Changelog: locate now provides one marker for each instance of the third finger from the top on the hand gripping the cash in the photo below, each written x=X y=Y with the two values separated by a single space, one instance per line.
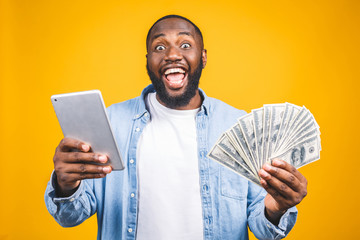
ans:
x=277 y=185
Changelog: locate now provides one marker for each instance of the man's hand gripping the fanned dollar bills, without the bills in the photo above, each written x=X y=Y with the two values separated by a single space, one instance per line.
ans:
x=285 y=185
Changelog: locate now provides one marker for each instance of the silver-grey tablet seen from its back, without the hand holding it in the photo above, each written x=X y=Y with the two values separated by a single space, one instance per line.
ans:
x=82 y=115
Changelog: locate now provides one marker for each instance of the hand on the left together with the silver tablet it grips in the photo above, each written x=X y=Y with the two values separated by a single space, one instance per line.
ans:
x=89 y=149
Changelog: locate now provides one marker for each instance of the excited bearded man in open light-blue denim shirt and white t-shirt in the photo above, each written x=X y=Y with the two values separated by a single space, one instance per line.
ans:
x=169 y=188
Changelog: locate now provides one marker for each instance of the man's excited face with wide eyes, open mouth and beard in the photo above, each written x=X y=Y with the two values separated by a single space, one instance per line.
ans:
x=174 y=61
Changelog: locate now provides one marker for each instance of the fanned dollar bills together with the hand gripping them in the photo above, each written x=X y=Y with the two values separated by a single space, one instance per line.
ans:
x=254 y=146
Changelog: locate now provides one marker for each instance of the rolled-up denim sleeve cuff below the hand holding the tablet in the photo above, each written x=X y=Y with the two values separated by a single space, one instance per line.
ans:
x=73 y=210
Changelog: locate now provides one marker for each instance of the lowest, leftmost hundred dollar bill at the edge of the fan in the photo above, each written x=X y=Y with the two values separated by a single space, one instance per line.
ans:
x=218 y=155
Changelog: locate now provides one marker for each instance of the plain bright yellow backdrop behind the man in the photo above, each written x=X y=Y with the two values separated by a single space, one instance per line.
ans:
x=303 y=52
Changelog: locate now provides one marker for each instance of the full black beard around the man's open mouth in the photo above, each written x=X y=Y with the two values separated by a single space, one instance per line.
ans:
x=183 y=99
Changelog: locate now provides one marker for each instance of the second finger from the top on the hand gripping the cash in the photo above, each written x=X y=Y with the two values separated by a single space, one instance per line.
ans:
x=284 y=176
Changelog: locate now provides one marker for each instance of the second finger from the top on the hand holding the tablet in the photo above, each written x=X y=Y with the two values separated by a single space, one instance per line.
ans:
x=74 y=157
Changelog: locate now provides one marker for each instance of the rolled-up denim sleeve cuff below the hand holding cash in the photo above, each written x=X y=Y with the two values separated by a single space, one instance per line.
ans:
x=259 y=225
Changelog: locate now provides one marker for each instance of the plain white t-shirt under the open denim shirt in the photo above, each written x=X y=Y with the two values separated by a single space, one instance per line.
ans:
x=168 y=171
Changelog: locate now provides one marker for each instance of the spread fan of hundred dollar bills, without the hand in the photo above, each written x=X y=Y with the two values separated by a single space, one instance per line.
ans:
x=284 y=131
